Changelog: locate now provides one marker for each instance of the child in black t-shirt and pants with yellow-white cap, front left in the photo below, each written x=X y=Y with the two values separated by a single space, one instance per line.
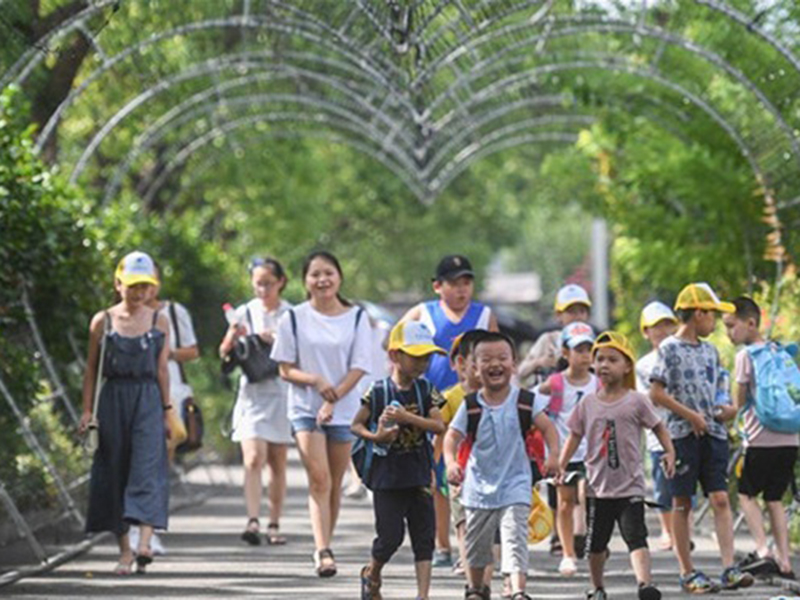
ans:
x=396 y=415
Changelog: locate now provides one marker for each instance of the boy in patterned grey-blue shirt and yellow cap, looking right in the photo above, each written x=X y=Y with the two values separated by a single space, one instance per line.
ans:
x=686 y=380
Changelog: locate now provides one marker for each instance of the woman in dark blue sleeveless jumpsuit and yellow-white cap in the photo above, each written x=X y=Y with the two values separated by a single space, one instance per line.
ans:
x=129 y=480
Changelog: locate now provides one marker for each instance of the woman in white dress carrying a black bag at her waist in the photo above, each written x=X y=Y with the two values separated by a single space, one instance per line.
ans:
x=260 y=422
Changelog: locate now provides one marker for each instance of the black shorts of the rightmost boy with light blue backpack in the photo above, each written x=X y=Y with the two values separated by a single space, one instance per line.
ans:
x=768 y=471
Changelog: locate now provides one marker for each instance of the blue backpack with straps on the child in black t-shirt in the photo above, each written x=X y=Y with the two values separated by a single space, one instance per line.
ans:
x=381 y=395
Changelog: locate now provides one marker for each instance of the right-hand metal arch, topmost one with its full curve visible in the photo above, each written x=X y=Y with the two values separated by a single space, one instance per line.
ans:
x=621 y=27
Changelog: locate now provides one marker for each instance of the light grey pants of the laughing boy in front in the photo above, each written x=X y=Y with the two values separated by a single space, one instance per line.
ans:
x=482 y=524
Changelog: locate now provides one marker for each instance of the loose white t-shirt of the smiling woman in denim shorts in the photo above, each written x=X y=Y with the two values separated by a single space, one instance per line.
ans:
x=327 y=346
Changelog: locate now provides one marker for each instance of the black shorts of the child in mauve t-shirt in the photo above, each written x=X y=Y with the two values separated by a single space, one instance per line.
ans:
x=602 y=513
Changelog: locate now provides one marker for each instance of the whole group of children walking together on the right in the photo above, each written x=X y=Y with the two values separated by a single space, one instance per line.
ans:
x=588 y=417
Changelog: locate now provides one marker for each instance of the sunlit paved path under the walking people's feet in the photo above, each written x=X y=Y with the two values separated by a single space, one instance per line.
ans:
x=206 y=559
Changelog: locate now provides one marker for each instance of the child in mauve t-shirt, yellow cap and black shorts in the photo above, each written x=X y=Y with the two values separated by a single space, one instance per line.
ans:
x=611 y=421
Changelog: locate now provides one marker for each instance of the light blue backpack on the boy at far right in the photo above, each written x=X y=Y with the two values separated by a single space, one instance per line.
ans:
x=777 y=396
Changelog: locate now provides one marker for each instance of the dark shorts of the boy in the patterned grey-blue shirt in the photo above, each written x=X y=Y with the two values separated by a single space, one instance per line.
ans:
x=701 y=459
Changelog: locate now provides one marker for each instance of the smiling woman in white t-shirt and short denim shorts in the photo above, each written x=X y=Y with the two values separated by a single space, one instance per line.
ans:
x=323 y=348
